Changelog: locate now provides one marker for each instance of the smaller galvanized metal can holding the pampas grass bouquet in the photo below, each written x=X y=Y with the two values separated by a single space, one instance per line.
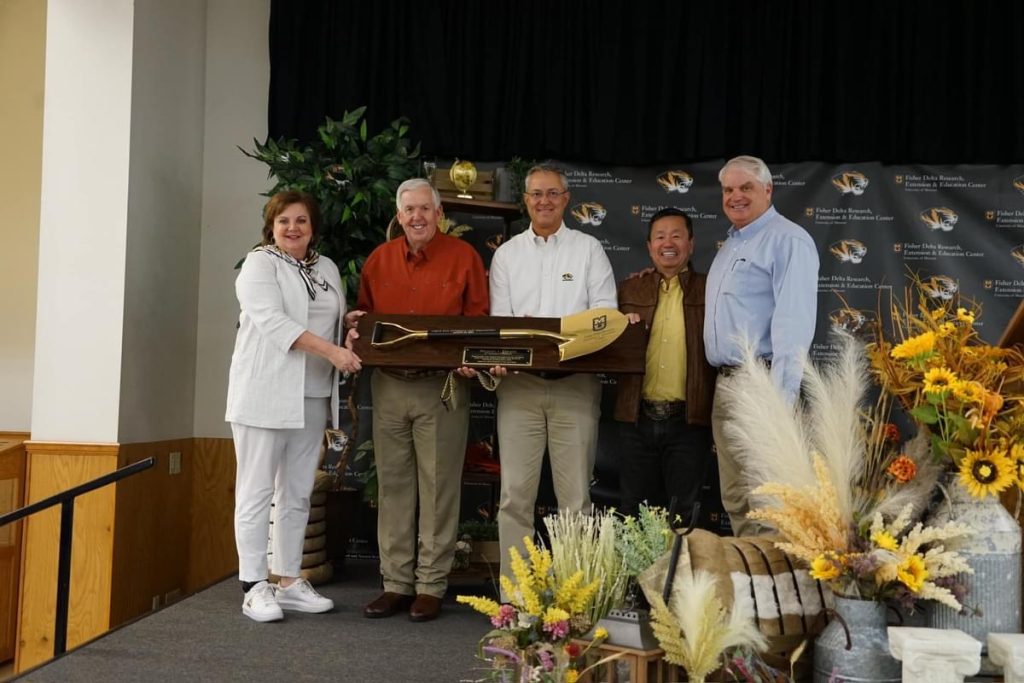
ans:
x=862 y=625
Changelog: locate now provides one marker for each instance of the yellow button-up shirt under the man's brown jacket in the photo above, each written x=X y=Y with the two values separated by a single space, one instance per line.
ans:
x=665 y=378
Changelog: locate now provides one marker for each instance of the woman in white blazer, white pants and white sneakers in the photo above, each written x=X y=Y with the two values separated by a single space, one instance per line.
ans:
x=282 y=391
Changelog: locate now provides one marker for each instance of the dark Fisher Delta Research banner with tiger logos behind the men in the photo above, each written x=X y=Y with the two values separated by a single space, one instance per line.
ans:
x=960 y=229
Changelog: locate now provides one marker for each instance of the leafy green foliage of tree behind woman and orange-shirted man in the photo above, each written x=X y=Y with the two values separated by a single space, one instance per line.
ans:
x=353 y=176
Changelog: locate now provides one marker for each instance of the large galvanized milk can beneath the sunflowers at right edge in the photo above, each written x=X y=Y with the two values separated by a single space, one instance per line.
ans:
x=993 y=603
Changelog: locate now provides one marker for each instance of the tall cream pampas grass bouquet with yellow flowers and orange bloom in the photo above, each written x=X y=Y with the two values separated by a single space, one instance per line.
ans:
x=834 y=481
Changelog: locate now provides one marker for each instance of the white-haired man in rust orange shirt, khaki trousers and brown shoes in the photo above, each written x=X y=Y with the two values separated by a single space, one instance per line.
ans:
x=418 y=444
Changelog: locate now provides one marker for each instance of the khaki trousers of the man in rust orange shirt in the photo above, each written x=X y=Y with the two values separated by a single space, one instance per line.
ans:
x=420 y=449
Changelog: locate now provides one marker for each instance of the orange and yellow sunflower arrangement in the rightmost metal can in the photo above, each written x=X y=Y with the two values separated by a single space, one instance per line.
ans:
x=958 y=388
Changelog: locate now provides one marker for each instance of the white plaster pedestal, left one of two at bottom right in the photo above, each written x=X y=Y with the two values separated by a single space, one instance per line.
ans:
x=934 y=656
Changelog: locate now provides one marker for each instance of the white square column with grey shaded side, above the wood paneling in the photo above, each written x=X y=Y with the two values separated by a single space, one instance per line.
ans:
x=122 y=183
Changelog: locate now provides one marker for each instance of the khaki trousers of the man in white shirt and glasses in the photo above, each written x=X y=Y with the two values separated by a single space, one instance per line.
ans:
x=533 y=415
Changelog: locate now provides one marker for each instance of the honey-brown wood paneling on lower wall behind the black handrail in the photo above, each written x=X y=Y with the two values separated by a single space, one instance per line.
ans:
x=146 y=541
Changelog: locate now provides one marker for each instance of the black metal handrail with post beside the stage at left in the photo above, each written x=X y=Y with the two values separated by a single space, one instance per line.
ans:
x=67 y=501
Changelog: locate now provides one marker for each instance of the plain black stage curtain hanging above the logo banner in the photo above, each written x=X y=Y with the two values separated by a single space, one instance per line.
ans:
x=642 y=83
